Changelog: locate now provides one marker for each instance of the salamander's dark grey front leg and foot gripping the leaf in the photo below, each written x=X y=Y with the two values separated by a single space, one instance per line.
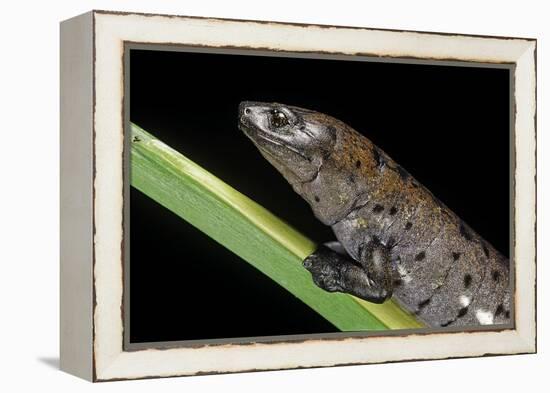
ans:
x=369 y=280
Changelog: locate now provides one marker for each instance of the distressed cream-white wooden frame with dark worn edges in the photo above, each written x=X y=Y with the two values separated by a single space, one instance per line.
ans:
x=92 y=174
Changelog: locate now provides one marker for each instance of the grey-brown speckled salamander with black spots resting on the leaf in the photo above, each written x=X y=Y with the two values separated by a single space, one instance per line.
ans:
x=394 y=237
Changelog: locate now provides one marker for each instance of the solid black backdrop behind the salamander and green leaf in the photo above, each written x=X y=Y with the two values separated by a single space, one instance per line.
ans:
x=447 y=125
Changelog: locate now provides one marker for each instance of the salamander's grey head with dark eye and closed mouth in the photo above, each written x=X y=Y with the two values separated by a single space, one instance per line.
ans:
x=292 y=139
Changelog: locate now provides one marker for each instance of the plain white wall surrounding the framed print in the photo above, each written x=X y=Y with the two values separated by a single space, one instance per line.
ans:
x=29 y=193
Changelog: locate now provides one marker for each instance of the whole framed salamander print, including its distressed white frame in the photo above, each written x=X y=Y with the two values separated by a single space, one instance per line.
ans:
x=244 y=195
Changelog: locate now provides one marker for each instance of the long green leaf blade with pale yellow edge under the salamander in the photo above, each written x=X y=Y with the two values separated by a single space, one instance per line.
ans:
x=250 y=231
